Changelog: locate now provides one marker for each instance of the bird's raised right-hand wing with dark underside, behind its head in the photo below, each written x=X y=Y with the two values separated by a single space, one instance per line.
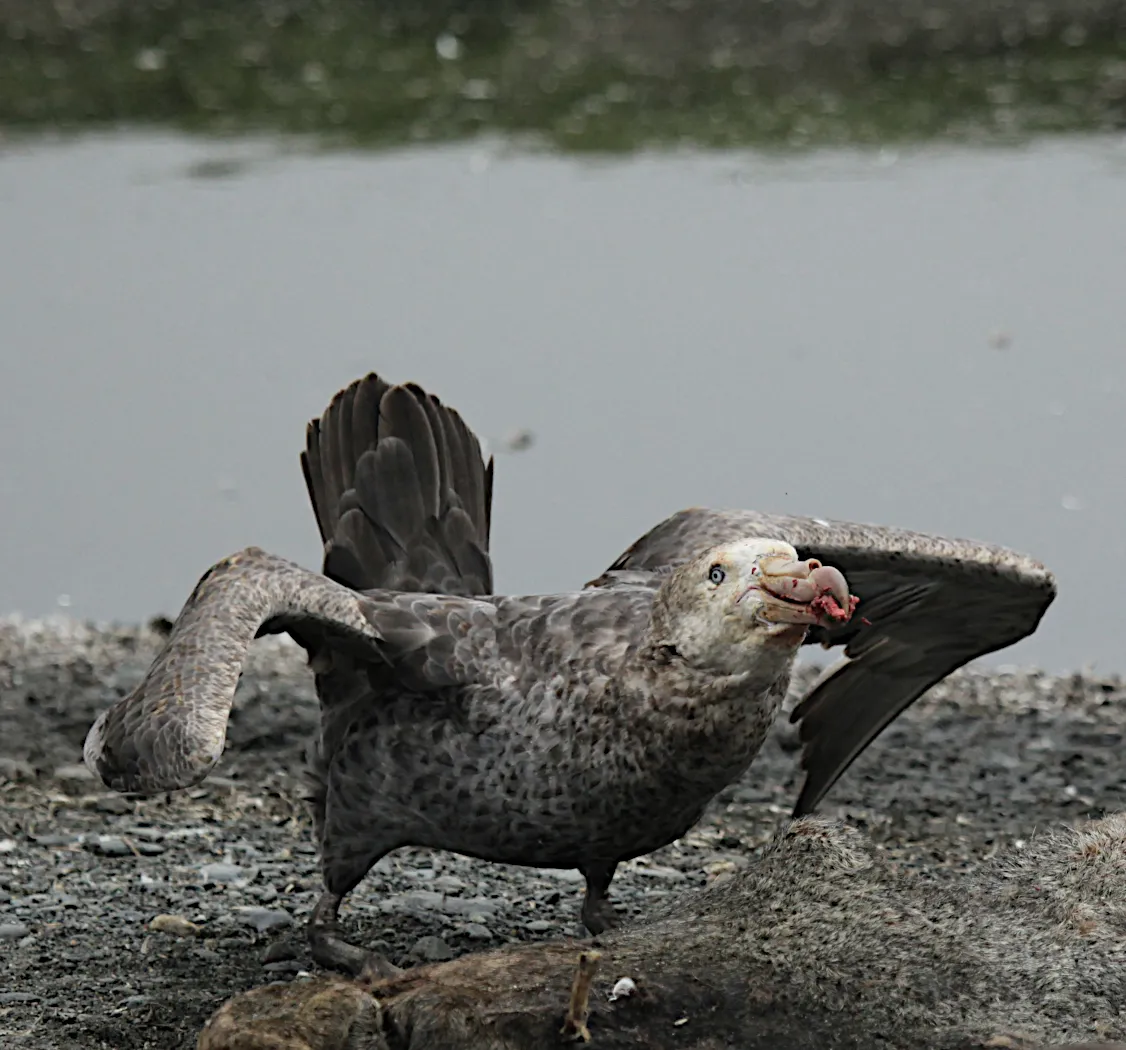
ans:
x=928 y=606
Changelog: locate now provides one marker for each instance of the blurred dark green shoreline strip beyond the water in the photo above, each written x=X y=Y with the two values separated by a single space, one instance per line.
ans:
x=582 y=76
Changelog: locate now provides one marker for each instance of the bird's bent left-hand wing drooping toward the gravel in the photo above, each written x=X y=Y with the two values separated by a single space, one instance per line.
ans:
x=172 y=730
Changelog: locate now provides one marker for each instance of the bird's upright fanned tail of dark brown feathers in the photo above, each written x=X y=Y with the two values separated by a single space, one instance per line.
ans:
x=401 y=492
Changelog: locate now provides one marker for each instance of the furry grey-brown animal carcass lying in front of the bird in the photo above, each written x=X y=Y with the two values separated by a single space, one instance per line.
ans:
x=818 y=945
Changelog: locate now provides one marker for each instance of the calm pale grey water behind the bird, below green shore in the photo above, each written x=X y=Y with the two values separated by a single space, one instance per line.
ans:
x=933 y=339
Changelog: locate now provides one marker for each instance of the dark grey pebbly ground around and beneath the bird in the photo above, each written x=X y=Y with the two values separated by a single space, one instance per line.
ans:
x=124 y=923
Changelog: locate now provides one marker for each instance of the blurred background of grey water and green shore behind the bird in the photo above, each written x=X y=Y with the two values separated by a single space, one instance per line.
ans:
x=857 y=259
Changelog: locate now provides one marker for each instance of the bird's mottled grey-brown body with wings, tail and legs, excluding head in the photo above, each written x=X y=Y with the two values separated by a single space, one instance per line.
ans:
x=556 y=731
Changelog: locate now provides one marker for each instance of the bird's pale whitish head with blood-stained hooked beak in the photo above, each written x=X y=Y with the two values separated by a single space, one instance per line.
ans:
x=721 y=611
